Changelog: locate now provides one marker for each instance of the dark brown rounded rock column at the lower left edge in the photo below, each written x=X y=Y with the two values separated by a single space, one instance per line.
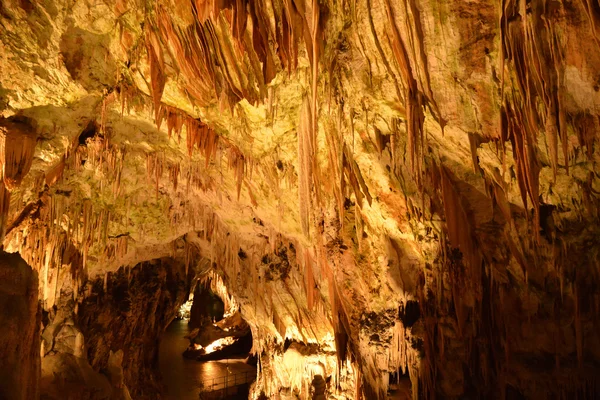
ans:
x=19 y=329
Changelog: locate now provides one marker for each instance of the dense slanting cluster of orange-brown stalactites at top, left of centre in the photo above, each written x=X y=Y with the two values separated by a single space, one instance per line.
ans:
x=211 y=53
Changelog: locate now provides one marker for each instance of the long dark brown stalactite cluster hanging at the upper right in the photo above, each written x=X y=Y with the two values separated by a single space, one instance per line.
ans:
x=532 y=48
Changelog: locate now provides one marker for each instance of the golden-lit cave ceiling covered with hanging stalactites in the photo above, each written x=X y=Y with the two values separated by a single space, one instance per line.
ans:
x=407 y=150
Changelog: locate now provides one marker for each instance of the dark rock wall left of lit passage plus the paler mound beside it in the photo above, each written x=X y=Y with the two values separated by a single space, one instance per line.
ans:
x=103 y=344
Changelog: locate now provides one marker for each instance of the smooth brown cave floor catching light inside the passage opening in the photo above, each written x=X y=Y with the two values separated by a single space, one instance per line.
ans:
x=182 y=377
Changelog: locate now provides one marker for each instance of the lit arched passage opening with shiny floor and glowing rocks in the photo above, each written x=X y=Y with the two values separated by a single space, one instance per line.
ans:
x=205 y=350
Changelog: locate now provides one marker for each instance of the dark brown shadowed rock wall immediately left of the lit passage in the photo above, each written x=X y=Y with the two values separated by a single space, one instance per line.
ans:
x=123 y=317
